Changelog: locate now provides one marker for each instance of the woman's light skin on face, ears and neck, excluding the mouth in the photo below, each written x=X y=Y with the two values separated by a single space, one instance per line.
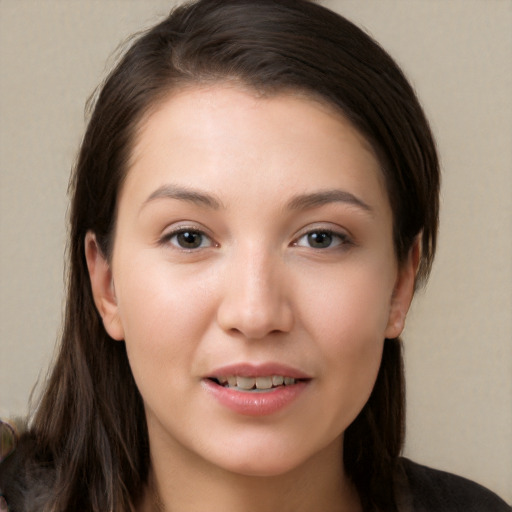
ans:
x=254 y=290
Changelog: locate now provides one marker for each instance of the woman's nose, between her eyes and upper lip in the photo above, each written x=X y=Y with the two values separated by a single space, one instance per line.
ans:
x=255 y=301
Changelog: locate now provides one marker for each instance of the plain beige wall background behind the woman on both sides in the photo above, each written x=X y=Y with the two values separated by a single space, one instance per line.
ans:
x=458 y=54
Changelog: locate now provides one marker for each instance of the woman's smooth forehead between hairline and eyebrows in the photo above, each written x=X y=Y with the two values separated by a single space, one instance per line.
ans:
x=214 y=134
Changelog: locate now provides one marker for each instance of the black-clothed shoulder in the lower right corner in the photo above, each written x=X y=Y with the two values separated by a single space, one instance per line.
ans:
x=432 y=490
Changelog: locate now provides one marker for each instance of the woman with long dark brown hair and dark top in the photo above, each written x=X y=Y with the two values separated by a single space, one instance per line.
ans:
x=254 y=203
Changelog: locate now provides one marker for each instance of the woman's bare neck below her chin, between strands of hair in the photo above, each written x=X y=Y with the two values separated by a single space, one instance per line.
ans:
x=319 y=483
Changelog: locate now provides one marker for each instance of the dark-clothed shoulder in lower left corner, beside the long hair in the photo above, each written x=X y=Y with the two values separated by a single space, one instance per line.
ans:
x=26 y=477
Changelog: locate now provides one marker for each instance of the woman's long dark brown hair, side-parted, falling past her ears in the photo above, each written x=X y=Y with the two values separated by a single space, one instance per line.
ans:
x=90 y=422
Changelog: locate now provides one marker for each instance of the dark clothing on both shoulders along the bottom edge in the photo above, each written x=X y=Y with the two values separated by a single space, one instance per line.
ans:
x=26 y=483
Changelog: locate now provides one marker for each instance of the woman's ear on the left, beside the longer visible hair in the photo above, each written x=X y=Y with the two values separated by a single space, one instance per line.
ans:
x=102 y=285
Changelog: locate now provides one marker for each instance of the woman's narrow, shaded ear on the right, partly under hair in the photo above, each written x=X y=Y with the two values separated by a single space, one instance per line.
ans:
x=403 y=292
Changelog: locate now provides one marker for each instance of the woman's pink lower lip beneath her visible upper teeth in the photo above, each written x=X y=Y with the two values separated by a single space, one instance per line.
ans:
x=251 y=403
